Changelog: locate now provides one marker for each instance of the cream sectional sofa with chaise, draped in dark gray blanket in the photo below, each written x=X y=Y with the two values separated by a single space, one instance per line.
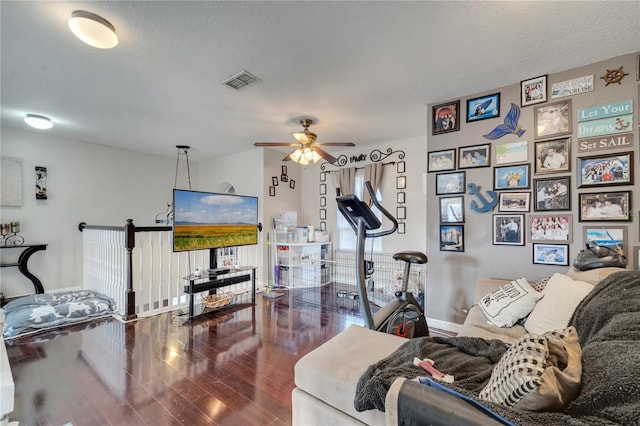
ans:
x=329 y=380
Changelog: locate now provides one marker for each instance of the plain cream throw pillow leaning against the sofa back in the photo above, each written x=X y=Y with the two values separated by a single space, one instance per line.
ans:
x=561 y=297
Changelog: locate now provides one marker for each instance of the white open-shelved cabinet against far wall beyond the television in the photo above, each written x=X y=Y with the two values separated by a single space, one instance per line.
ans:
x=303 y=264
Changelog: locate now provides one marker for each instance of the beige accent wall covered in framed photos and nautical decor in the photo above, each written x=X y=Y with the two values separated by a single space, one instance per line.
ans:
x=525 y=176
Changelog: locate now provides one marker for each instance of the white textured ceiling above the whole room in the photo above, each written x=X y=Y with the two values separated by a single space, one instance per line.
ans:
x=365 y=71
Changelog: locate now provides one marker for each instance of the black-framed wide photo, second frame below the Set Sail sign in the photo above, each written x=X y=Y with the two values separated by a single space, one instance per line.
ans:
x=605 y=206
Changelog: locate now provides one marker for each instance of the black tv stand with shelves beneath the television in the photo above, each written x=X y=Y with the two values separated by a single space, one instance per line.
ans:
x=223 y=277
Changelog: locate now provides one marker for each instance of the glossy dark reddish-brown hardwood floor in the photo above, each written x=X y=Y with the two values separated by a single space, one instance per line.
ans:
x=229 y=367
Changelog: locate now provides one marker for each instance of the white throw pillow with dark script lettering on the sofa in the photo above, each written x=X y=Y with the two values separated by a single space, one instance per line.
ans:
x=512 y=301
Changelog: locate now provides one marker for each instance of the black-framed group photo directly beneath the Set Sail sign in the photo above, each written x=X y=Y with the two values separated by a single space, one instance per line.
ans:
x=604 y=170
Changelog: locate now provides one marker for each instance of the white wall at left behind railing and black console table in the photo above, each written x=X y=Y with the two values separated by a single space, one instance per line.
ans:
x=86 y=183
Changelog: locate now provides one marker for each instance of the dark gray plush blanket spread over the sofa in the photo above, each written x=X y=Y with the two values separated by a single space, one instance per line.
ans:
x=608 y=325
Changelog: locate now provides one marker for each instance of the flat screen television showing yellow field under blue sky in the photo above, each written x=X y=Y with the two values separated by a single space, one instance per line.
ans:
x=207 y=220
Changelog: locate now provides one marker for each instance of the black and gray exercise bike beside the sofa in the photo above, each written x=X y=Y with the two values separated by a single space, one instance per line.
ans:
x=402 y=316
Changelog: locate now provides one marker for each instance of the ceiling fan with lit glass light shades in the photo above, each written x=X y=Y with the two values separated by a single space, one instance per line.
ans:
x=308 y=149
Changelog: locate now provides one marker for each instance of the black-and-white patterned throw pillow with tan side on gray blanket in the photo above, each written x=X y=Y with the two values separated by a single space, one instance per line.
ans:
x=538 y=373
